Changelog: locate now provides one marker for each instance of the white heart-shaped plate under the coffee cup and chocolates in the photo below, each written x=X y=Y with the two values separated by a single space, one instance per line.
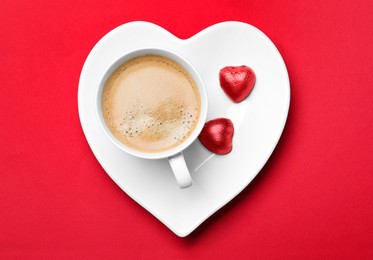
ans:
x=259 y=120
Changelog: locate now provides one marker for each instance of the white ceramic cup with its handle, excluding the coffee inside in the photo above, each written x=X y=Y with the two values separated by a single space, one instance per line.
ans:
x=174 y=155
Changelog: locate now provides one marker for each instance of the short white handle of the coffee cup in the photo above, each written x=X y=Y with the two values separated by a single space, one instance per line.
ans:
x=180 y=170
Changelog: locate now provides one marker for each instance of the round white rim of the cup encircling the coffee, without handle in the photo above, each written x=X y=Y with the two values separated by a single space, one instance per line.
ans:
x=195 y=76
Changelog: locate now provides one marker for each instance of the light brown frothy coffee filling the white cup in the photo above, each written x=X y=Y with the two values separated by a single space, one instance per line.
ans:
x=151 y=103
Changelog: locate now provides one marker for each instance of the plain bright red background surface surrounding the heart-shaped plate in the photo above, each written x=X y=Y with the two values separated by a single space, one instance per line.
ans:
x=313 y=199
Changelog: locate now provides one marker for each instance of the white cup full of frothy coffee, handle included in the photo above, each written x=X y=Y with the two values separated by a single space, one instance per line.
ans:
x=152 y=104
